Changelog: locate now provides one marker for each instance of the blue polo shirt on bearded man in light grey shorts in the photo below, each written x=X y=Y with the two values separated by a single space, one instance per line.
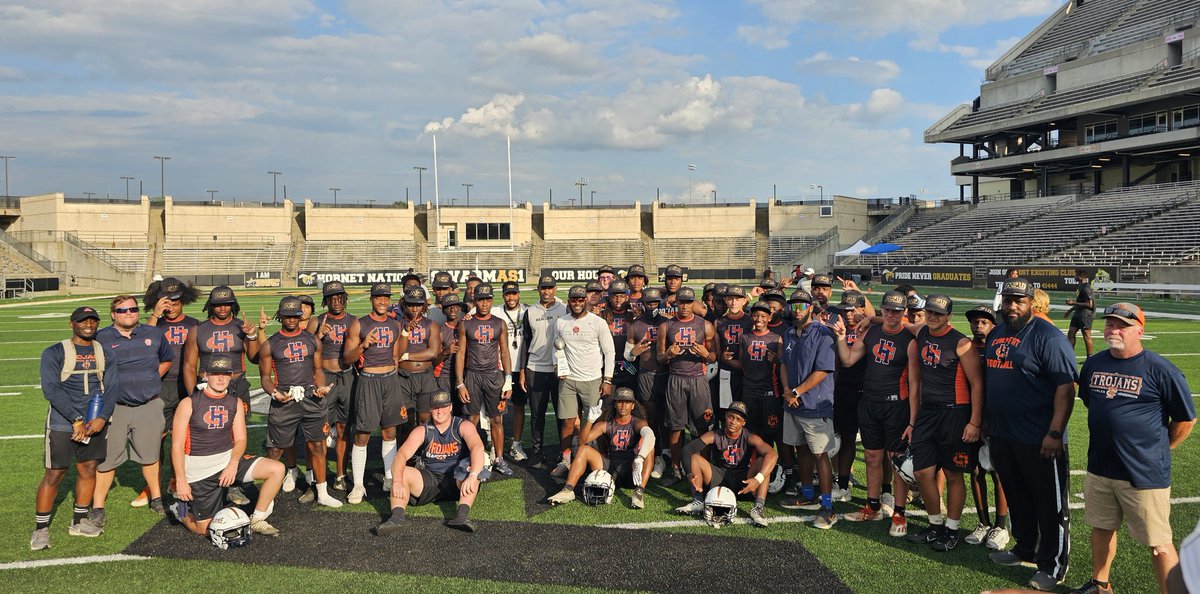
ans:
x=805 y=352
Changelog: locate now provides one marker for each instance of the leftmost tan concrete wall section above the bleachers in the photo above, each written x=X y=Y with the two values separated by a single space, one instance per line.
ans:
x=123 y=224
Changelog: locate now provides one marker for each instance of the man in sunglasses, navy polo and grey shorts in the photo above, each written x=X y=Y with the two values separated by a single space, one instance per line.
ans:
x=143 y=357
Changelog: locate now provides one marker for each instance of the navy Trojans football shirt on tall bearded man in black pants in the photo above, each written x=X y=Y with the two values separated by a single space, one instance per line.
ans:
x=1022 y=371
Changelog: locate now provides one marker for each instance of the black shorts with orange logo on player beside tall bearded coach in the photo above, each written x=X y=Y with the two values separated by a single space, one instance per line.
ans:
x=938 y=440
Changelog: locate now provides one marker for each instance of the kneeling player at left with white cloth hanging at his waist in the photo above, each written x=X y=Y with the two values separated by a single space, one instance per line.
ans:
x=208 y=442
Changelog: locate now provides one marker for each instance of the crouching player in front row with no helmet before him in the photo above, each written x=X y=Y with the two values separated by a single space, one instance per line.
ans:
x=446 y=442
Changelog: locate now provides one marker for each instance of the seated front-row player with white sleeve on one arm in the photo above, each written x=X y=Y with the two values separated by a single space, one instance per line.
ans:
x=625 y=458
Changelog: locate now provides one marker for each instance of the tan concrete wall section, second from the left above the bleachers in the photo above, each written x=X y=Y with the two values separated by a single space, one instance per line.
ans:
x=232 y=224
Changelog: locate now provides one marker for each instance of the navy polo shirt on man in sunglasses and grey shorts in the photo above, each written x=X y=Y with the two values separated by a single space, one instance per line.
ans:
x=137 y=362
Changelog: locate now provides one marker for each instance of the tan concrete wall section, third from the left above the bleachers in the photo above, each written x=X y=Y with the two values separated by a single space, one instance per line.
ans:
x=358 y=224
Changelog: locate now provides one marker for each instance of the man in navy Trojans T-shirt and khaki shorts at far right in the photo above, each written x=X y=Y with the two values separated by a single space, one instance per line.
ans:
x=1139 y=409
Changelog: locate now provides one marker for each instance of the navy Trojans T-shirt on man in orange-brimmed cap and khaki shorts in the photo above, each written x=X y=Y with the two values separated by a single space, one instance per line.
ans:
x=1130 y=404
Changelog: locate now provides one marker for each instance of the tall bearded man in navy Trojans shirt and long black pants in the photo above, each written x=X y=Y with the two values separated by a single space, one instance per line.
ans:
x=1030 y=379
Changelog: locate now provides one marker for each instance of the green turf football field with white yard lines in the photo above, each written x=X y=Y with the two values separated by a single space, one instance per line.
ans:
x=863 y=556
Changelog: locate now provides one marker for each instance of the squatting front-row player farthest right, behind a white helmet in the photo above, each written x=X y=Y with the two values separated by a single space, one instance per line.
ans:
x=729 y=465
